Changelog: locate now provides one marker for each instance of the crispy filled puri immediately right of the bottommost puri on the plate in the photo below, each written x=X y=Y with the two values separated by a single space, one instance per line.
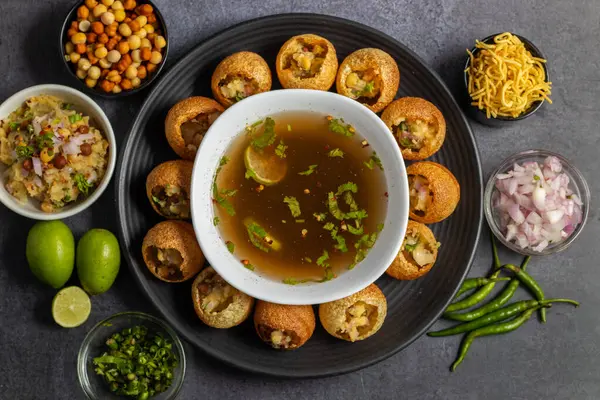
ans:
x=345 y=318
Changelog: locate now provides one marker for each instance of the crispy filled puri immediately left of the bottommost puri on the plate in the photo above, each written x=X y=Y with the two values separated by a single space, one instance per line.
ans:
x=217 y=303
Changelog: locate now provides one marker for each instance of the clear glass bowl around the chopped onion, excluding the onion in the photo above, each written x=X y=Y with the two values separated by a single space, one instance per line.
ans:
x=577 y=184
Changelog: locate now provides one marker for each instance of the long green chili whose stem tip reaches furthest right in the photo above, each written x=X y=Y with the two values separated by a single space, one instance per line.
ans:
x=498 y=315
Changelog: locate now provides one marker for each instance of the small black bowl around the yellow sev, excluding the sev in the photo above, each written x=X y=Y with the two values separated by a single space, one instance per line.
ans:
x=479 y=115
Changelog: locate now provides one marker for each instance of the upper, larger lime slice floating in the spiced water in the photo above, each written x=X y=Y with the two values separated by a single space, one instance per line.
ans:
x=266 y=167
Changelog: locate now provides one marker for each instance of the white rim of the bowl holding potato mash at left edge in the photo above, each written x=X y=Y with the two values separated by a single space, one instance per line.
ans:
x=11 y=203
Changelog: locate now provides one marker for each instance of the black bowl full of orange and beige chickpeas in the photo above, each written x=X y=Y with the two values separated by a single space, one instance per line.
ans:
x=114 y=47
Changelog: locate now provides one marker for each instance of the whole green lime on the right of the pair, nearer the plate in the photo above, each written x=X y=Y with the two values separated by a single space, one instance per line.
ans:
x=98 y=260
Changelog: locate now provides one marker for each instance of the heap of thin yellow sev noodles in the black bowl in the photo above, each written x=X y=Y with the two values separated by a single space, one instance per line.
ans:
x=505 y=79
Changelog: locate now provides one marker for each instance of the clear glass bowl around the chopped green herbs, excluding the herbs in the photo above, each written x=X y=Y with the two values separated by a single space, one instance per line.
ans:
x=93 y=345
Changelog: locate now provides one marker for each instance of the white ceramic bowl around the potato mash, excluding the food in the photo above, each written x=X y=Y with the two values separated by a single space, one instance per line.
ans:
x=83 y=104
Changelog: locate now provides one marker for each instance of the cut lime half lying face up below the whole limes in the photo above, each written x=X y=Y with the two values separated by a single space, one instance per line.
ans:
x=71 y=307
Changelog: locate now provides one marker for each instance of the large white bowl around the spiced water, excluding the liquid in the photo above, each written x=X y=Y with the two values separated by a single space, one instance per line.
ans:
x=232 y=123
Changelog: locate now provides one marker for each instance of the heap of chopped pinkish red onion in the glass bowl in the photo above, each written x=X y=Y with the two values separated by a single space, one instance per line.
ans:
x=535 y=206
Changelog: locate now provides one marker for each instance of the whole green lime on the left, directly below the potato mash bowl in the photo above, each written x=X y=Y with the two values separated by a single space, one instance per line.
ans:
x=50 y=252
